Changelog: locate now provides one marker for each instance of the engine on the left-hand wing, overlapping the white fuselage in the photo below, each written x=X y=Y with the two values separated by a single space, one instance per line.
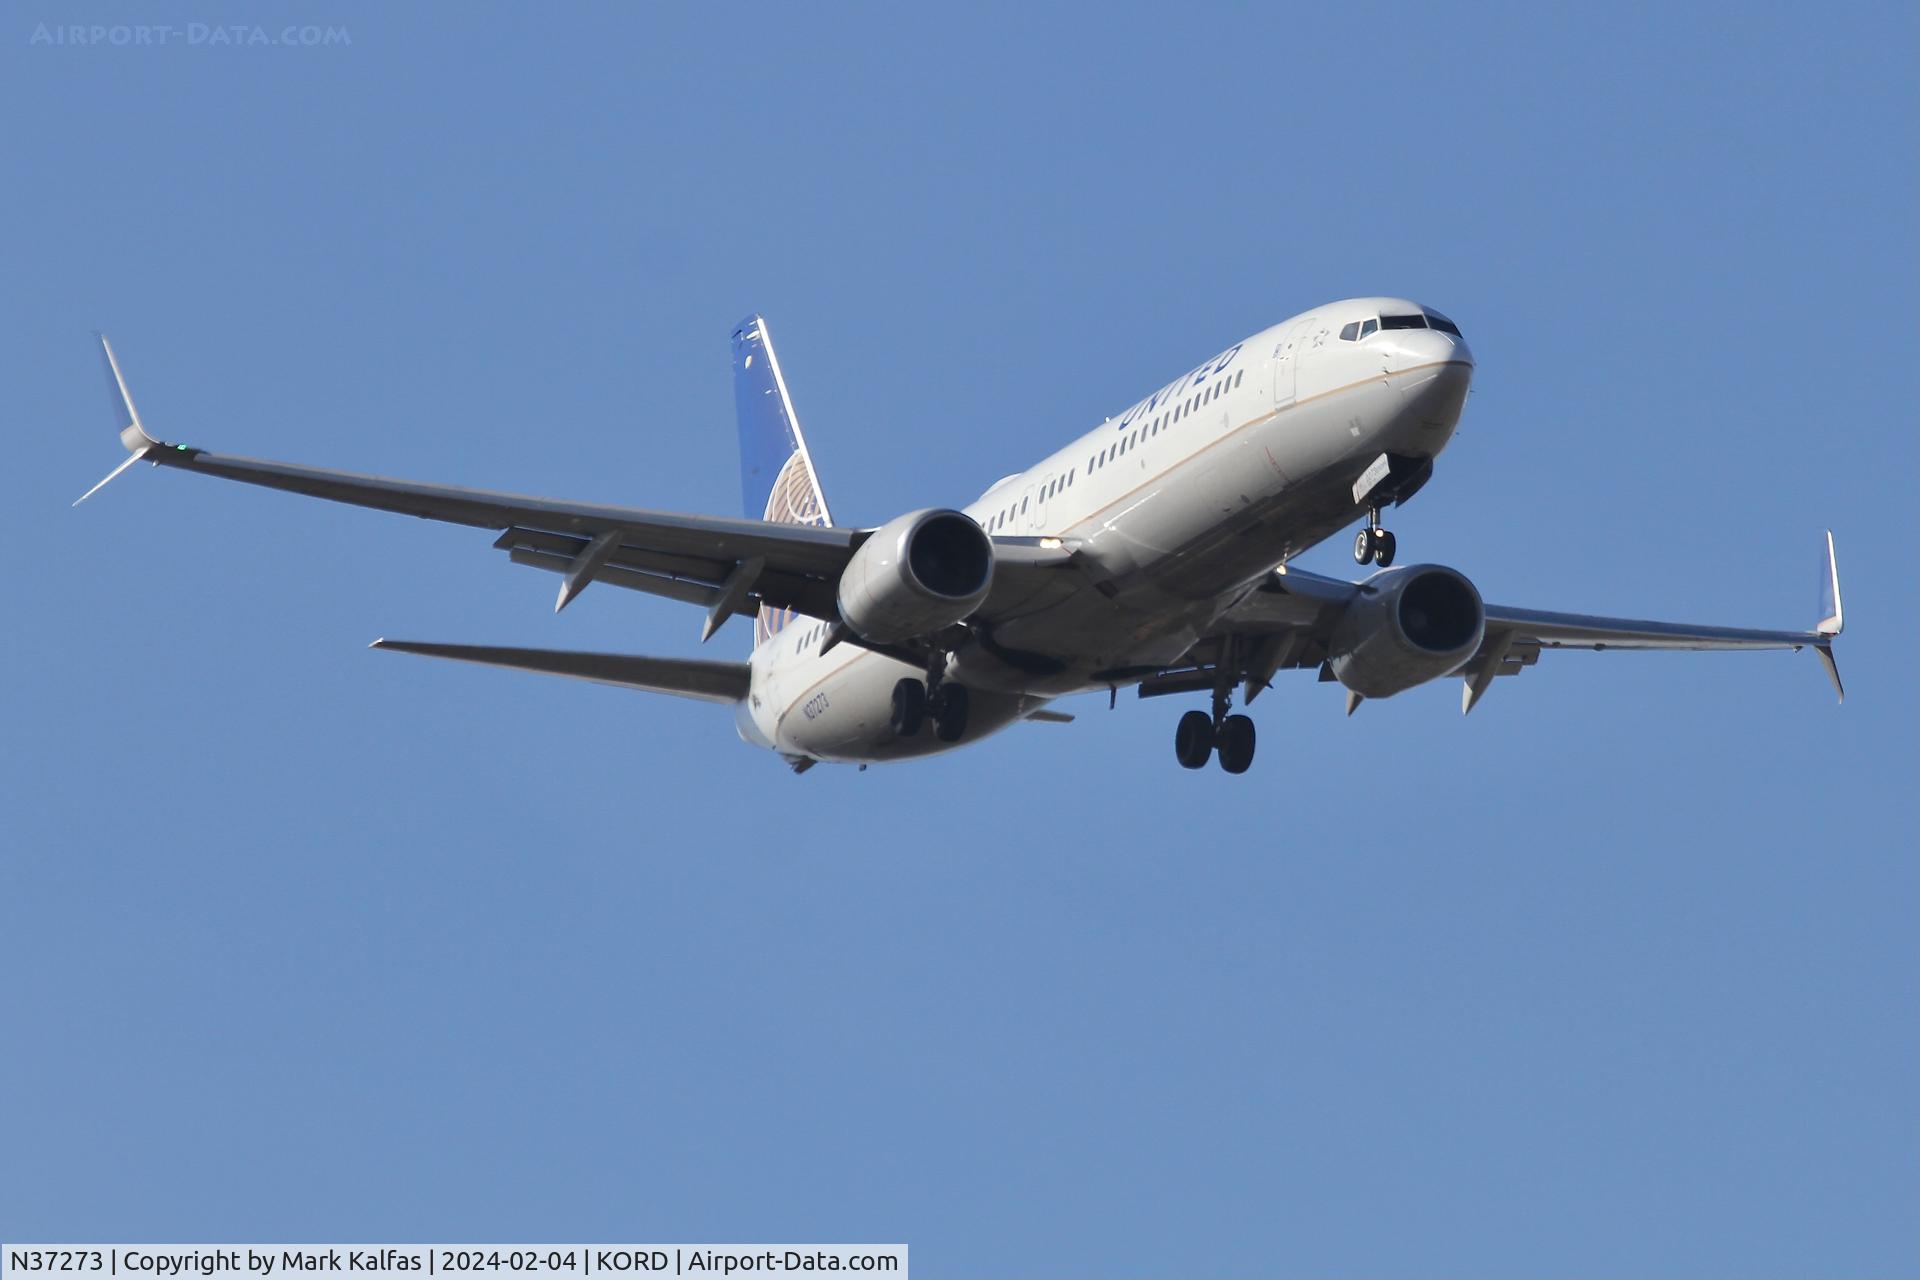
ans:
x=917 y=575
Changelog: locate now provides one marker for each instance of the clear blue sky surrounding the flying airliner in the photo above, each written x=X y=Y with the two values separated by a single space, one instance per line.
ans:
x=308 y=943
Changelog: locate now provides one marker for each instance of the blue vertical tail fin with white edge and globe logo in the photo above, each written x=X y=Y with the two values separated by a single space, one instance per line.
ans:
x=777 y=475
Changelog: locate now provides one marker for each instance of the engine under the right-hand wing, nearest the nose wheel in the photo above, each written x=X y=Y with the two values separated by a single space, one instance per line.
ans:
x=1404 y=628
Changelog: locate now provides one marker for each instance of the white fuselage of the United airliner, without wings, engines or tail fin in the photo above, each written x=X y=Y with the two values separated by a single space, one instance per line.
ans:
x=1178 y=510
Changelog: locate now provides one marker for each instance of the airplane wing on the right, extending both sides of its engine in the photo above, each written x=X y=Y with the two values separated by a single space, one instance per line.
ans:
x=1285 y=623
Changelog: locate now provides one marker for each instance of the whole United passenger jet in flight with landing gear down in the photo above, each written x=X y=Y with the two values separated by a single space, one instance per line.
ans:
x=1151 y=554
